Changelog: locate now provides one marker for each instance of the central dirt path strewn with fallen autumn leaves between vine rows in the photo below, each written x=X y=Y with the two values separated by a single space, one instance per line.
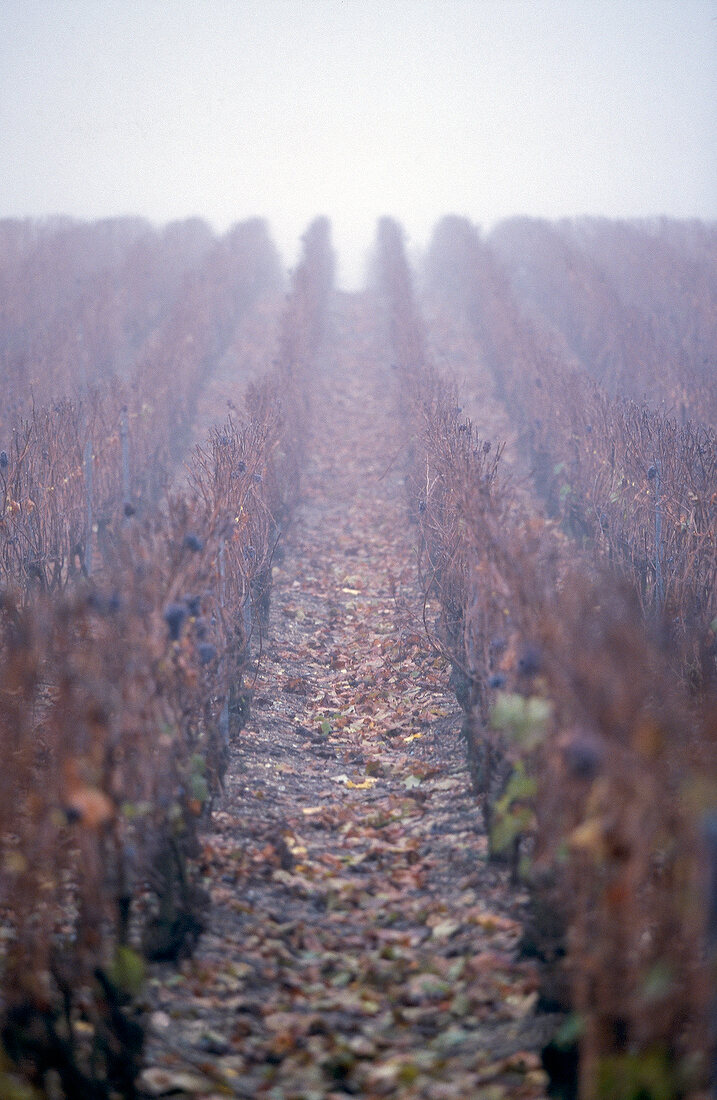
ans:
x=358 y=943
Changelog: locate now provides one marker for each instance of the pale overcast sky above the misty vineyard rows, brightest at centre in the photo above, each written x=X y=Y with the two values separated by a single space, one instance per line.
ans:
x=357 y=108
